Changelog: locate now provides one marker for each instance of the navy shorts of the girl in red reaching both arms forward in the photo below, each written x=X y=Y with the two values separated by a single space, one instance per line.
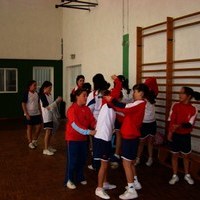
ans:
x=129 y=148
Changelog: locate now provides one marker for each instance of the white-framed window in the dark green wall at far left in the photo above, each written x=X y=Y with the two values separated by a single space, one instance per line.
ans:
x=8 y=80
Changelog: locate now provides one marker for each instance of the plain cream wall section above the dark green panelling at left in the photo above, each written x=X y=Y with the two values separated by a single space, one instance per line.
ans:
x=30 y=29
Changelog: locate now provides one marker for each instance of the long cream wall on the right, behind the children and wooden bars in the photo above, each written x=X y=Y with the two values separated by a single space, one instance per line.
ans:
x=96 y=37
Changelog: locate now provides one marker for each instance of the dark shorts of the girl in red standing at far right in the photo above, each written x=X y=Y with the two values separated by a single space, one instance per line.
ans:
x=181 y=143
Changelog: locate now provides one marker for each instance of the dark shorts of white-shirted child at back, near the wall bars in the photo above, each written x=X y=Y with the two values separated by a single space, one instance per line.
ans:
x=148 y=129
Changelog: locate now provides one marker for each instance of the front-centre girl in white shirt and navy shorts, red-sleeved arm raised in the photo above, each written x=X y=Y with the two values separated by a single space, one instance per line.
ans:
x=102 y=140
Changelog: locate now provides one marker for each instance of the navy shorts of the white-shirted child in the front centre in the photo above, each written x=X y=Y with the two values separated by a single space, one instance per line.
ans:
x=101 y=149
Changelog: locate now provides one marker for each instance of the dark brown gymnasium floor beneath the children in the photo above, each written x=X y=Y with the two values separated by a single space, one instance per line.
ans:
x=27 y=174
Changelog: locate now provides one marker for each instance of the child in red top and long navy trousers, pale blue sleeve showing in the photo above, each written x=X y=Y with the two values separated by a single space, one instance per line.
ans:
x=78 y=127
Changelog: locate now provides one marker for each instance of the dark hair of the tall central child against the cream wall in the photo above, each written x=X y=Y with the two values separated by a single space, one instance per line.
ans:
x=100 y=83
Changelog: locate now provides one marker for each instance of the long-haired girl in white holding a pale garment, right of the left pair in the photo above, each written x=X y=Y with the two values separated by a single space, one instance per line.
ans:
x=49 y=109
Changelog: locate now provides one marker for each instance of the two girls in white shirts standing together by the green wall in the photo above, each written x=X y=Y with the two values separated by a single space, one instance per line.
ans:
x=39 y=108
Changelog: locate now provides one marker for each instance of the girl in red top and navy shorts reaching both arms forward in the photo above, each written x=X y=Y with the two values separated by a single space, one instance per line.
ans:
x=130 y=132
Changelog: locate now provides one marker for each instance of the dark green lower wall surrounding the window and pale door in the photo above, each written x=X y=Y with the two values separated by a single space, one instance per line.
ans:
x=10 y=106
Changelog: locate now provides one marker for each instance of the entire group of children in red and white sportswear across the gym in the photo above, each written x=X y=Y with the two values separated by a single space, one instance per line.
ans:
x=97 y=114
